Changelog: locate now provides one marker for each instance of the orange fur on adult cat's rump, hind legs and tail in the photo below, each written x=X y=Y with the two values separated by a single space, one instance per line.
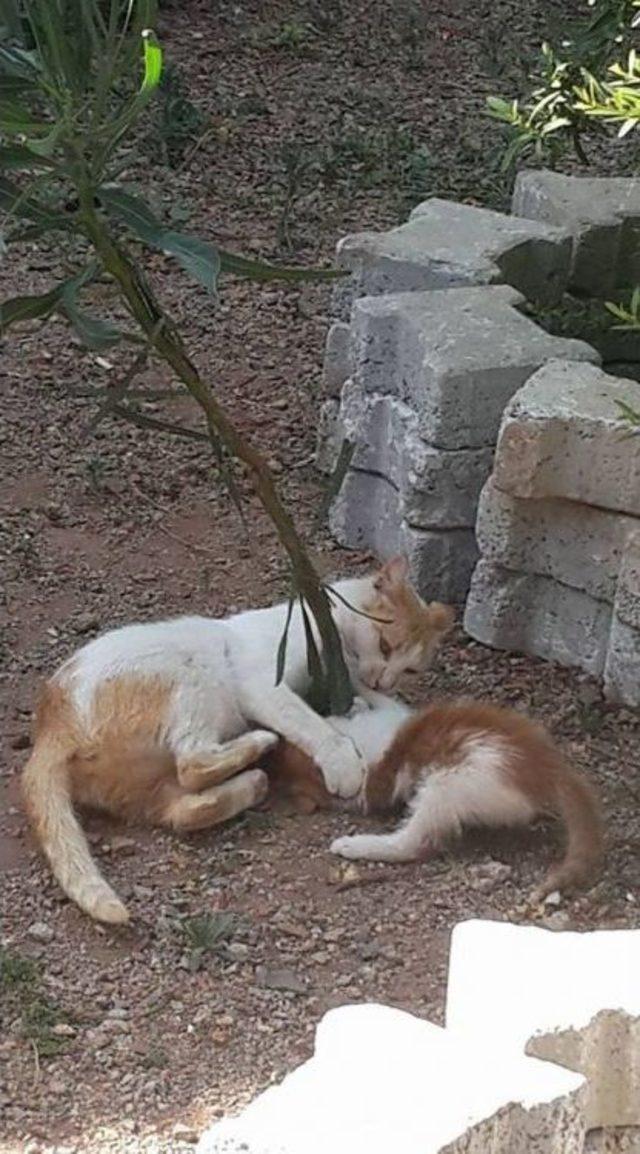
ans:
x=119 y=765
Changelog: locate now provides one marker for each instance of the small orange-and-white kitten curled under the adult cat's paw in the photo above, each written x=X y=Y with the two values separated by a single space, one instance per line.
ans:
x=455 y=766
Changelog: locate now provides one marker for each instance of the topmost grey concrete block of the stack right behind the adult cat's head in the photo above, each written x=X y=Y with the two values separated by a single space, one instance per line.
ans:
x=455 y=357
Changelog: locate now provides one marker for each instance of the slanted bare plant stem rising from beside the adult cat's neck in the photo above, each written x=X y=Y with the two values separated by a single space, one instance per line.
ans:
x=164 y=338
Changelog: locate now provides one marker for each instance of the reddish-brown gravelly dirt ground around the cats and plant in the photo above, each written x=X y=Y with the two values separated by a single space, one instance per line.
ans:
x=134 y=1040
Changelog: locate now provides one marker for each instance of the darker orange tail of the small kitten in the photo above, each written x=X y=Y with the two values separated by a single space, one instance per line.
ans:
x=578 y=808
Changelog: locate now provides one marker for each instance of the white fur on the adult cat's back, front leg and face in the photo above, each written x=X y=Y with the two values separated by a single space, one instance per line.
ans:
x=223 y=673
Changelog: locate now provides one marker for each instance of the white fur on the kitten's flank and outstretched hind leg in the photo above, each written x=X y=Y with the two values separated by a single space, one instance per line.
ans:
x=475 y=793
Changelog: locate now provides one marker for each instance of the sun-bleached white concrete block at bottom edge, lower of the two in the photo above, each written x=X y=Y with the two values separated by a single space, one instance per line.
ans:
x=382 y=1081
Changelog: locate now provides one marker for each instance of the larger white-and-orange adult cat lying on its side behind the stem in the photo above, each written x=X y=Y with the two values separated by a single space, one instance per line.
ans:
x=154 y=722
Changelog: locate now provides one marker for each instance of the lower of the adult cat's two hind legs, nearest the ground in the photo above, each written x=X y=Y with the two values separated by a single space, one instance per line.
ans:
x=191 y=812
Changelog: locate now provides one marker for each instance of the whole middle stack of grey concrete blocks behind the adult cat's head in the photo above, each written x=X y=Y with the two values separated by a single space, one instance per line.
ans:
x=432 y=373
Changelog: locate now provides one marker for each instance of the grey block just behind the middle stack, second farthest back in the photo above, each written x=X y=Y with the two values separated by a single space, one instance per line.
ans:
x=447 y=245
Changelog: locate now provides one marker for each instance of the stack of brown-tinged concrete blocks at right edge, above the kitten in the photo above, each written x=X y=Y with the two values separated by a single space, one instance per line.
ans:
x=559 y=529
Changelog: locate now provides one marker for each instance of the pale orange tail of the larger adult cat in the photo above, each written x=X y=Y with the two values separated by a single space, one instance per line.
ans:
x=46 y=785
